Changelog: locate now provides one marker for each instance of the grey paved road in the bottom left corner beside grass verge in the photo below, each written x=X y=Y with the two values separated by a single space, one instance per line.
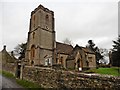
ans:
x=8 y=83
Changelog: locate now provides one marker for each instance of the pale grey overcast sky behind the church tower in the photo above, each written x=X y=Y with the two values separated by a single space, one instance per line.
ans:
x=78 y=20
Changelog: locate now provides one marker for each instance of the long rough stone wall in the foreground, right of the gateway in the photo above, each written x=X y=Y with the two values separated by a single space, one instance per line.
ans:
x=50 y=78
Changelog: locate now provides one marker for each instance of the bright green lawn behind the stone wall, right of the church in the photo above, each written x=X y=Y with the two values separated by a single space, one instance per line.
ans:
x=108 y=71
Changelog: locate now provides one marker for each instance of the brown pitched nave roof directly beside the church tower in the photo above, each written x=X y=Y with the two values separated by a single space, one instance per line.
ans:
x=63 y=48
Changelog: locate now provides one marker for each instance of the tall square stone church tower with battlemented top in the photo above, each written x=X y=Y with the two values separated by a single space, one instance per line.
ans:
x=41 y=37
